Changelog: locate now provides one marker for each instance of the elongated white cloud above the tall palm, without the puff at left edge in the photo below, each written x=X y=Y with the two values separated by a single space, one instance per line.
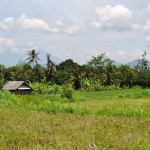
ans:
x=61 y=25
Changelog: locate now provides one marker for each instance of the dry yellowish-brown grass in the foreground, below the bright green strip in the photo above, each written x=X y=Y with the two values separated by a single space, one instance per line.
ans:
x=39 y=130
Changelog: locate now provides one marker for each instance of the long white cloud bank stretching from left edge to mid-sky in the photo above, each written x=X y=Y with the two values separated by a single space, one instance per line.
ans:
x=62 y=25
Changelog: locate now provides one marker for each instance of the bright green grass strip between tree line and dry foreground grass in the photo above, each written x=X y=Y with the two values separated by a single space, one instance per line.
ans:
x=93 y=103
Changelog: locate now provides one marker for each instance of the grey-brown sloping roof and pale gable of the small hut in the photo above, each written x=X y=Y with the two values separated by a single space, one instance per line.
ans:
x=14 y=85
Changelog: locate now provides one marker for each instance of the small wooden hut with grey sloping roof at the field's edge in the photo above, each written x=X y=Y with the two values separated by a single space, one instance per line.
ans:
x=18 y=87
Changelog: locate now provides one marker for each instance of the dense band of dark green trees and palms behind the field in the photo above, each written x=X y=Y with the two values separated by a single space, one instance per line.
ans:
x=97 y=72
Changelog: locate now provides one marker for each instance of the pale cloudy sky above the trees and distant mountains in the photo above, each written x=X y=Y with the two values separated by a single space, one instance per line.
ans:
x=76 y=29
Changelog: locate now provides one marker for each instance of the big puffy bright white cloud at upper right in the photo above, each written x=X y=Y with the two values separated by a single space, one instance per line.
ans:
x=112 y=18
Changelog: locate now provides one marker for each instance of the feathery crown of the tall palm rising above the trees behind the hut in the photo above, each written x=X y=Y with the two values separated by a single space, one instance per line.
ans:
x=33 y=57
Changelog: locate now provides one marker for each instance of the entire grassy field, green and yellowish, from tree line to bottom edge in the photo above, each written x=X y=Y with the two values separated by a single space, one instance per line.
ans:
x=118 y=119
